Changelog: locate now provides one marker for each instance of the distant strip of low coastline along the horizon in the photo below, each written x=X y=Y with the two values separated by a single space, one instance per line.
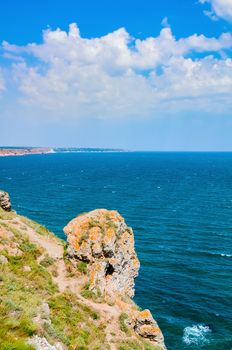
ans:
x=22 y=151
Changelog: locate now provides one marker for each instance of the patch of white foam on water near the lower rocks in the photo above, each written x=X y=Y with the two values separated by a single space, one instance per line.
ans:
x=196 y=335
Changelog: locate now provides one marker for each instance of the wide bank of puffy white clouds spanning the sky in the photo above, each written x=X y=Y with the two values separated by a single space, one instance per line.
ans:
x=117 y=76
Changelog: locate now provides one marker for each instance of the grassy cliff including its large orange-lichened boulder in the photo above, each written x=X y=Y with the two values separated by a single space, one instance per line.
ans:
x=75 y=295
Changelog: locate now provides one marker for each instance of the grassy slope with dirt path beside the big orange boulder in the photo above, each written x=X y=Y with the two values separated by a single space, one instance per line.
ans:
x=42 y=299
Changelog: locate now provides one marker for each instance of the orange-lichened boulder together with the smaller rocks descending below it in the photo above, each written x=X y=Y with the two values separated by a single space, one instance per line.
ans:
x=102 y=239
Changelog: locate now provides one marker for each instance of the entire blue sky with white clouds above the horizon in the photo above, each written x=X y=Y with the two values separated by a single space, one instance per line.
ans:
x=139 y=75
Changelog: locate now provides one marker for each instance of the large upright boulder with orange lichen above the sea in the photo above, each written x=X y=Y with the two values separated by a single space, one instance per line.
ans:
x=106 y=243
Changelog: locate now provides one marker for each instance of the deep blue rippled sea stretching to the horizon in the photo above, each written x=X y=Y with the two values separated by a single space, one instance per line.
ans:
x=180 y=208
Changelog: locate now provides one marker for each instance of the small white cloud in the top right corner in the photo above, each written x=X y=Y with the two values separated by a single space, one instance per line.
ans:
x=219 y=9
